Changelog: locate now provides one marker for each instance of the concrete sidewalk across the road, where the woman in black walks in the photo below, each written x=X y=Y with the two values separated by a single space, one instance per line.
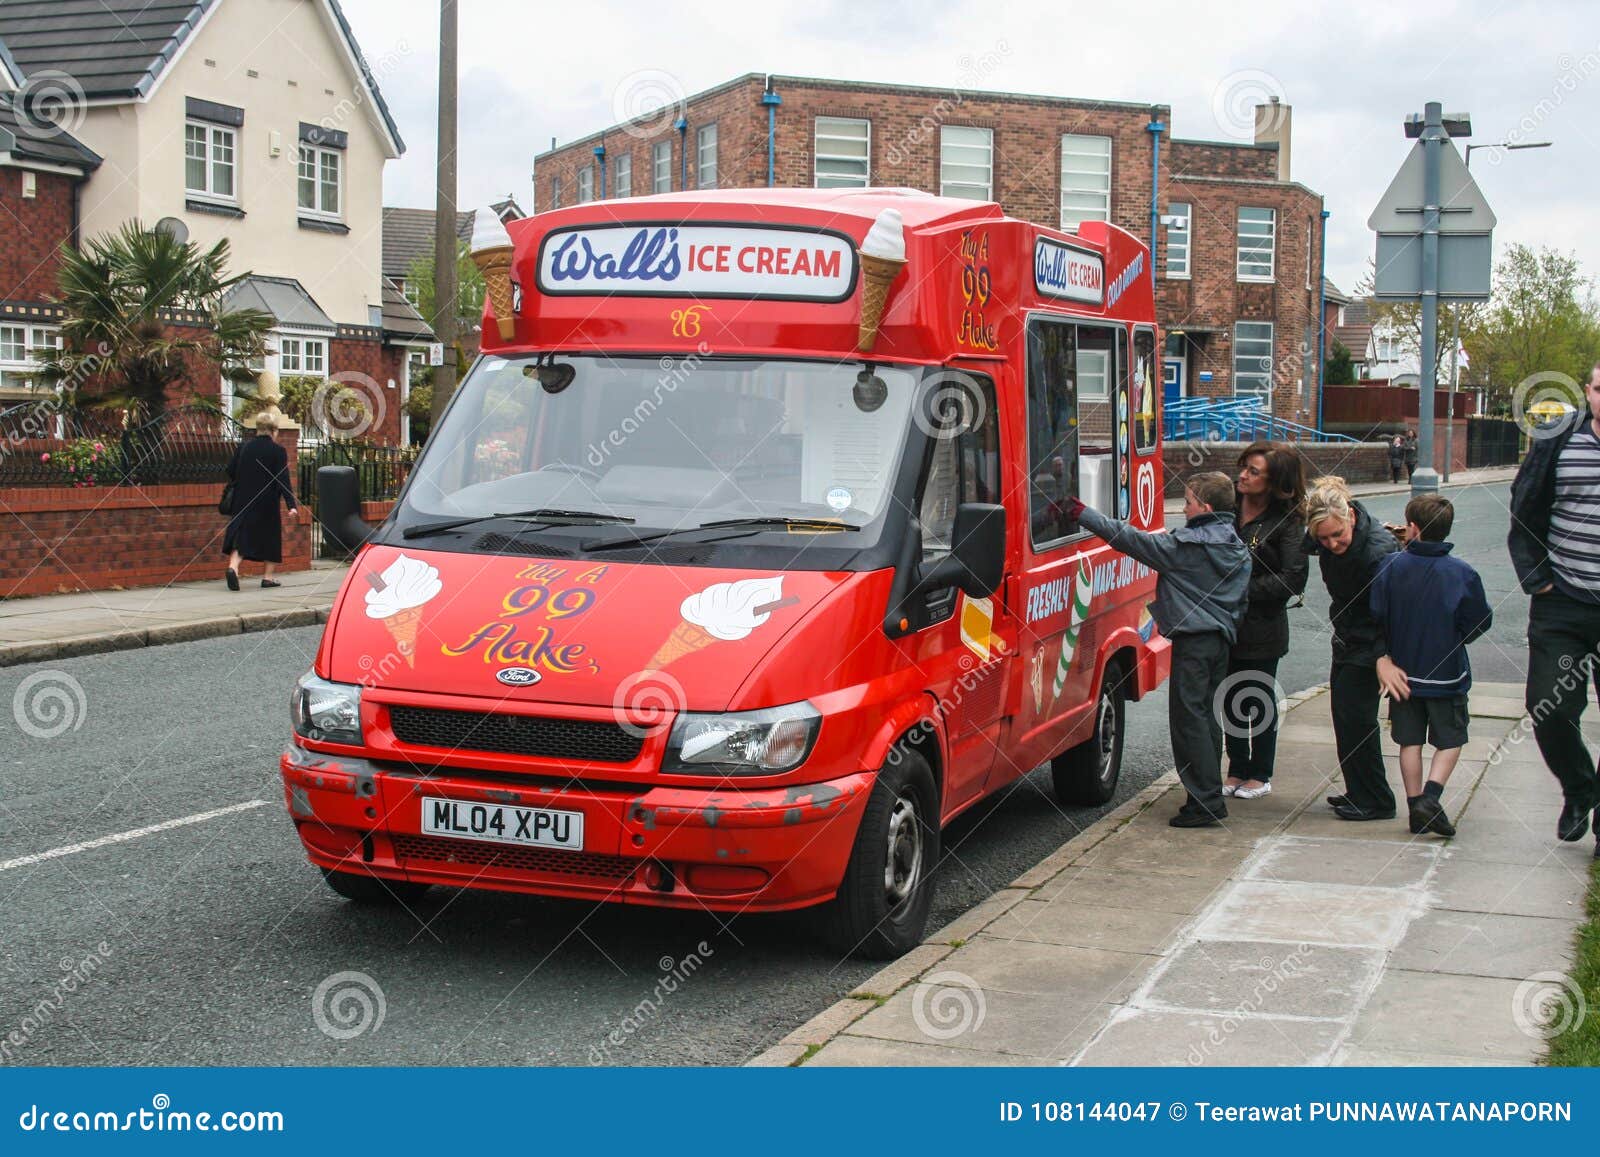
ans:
x=92 y=622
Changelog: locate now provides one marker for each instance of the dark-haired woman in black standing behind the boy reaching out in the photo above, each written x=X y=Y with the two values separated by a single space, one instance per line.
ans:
x=1271 y=490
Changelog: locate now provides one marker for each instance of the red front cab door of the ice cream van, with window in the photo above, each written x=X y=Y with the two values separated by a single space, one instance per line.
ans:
x=980 y=635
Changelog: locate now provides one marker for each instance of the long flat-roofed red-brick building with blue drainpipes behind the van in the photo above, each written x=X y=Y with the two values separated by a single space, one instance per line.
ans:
x=1239 y=246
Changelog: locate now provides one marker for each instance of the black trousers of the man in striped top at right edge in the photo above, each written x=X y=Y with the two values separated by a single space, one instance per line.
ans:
x=1562 y=639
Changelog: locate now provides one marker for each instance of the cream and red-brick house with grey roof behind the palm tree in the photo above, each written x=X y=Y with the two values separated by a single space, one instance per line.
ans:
x=257 y=121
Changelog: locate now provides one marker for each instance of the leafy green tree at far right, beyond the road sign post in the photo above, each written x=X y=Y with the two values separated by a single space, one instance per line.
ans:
x=1542 y=319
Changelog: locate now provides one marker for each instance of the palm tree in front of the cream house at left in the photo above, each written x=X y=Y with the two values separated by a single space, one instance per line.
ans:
x=118 y=346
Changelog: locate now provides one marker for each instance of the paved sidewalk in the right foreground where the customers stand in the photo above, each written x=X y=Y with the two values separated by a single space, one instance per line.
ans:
x=1287 y=939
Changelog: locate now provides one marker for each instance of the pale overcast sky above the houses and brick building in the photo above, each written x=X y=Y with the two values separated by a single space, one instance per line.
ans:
x=1351 y=71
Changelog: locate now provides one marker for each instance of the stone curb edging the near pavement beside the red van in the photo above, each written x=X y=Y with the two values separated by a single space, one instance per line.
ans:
x=796 y=1047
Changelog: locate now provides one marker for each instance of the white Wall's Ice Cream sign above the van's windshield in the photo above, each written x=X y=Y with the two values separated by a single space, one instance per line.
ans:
x=698 y=262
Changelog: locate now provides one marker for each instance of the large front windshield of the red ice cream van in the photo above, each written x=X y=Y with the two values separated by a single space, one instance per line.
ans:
x=670 y=442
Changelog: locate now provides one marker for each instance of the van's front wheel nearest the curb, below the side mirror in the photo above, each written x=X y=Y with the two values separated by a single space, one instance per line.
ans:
x=882 y=907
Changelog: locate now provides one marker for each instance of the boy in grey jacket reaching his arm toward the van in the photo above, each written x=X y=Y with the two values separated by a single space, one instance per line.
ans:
x=1201 y=595
